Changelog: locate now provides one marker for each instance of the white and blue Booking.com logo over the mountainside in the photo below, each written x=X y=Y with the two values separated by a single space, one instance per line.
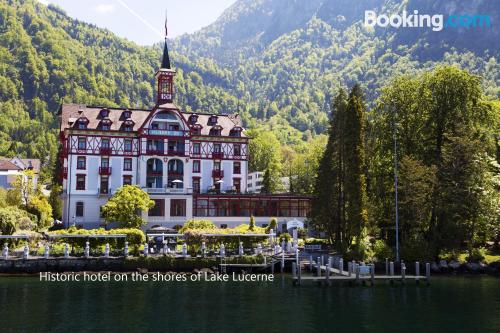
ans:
x=436 y=21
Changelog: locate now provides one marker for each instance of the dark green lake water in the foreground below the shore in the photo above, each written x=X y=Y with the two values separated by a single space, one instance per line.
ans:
x=458 y=304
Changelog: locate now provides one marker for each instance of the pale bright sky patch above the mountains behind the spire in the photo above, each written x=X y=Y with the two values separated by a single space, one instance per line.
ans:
x=142 y=21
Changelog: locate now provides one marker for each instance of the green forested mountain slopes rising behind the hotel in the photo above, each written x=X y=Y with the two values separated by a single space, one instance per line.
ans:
x=276 y=62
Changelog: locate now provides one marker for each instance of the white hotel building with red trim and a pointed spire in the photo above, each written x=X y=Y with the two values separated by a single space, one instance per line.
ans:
x=192 y=165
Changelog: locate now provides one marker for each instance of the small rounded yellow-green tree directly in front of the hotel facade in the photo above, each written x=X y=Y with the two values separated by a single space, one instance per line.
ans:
x=126 y=205
